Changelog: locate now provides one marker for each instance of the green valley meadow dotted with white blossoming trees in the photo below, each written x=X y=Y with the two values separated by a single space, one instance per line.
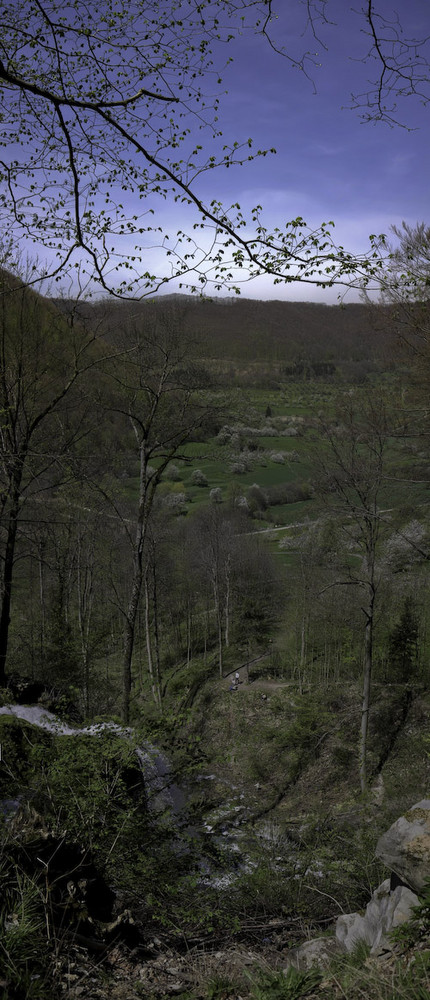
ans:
x=273 y=439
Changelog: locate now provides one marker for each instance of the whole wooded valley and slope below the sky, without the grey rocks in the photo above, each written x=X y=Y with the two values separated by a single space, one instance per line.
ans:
x=221 y=551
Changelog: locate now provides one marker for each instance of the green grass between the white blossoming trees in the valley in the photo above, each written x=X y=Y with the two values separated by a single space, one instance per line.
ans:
x=300 y=400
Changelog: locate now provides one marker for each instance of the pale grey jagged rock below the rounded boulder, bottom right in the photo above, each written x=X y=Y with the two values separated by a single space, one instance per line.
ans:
x=385 y=911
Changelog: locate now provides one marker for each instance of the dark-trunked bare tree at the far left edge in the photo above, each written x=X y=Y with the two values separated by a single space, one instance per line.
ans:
x=41 y=360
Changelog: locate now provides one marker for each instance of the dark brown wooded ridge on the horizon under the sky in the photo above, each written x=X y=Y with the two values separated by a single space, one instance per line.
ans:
x=246 y=332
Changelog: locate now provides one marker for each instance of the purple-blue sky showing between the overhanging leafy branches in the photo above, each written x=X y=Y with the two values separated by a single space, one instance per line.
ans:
x=330 y=164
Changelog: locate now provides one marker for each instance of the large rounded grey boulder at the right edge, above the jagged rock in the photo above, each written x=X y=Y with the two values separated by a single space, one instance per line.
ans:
x=405 y=847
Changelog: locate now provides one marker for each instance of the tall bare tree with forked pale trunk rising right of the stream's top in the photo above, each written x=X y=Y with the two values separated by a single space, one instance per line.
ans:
x=159 y=392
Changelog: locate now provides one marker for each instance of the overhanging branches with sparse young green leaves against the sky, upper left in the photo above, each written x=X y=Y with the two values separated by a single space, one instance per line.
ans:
x=107 y=111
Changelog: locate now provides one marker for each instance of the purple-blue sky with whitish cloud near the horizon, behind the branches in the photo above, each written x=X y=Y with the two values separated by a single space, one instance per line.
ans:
x=329 y=165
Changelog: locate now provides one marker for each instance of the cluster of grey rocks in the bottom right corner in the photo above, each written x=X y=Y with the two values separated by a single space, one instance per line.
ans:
x=405 y=849
